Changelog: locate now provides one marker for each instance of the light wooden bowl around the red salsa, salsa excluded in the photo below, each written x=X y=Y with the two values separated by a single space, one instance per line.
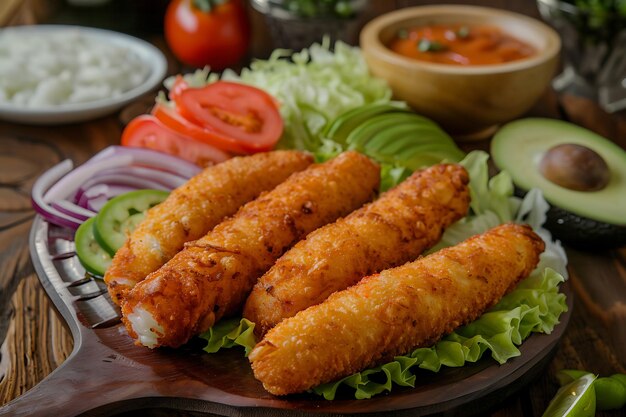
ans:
x=467 y=101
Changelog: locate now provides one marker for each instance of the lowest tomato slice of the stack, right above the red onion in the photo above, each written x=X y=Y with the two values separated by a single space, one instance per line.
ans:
x=146 y=131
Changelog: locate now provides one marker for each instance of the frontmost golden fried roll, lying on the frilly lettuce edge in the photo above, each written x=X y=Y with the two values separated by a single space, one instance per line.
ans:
x=394 y=312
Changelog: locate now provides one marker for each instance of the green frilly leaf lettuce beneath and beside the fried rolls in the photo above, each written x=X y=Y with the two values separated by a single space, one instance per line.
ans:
x=534 y=306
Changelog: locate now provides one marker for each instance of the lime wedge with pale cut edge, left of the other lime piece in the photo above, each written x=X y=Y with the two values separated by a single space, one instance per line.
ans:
x=576 y=399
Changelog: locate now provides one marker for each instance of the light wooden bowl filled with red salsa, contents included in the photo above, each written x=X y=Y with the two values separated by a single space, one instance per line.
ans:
x=469 y=68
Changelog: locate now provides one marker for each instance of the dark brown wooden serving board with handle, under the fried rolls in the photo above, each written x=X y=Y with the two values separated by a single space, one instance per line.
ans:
x=107 y=374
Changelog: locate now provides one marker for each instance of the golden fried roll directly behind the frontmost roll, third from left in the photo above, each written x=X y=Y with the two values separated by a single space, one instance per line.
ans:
x=393 y=230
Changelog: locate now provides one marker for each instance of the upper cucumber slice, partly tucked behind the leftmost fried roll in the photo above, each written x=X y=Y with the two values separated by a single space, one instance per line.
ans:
x=120 y=215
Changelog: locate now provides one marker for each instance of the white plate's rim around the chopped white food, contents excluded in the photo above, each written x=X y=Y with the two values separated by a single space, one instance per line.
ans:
x=77 y=112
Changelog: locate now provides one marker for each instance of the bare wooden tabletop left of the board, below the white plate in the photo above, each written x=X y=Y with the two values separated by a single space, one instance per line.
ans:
x=34 y=340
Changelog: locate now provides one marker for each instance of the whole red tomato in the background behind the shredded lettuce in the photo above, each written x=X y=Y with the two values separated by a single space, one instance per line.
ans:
x=207 y=32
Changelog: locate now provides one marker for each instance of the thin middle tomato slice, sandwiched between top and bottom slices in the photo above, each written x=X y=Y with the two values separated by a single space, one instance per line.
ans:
x=174 y=120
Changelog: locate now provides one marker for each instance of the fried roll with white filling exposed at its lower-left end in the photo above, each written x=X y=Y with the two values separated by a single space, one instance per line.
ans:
x=212 y=277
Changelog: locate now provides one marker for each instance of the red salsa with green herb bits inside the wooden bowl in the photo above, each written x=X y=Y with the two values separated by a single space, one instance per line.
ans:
x=459 y=44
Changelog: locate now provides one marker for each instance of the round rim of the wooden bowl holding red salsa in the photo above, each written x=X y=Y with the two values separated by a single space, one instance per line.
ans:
x=375 y=26
